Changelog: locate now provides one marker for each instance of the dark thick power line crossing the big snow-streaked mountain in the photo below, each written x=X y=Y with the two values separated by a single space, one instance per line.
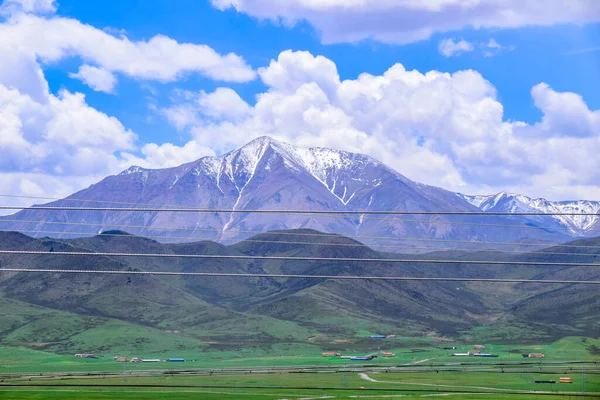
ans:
x=299 y=212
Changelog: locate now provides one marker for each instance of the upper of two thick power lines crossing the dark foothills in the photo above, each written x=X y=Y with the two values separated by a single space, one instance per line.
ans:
x=291 y=258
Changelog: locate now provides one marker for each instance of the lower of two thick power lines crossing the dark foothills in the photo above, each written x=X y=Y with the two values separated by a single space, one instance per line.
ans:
x=295 y=276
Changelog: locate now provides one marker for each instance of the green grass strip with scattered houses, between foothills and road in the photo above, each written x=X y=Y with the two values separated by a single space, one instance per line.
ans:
x=15 y=360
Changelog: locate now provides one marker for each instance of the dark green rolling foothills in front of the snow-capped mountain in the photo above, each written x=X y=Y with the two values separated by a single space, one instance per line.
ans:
x=123 y=313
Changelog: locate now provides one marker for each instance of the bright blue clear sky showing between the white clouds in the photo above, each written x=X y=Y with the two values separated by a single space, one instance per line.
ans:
x=539 y=55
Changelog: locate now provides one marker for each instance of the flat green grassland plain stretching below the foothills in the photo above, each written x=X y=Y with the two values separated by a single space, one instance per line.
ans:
x=414 y=372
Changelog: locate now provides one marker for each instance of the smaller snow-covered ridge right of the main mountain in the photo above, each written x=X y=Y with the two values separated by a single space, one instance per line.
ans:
x=576 y=225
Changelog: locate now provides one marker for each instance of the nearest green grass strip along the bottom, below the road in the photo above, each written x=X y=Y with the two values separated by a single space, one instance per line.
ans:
x=338 y=385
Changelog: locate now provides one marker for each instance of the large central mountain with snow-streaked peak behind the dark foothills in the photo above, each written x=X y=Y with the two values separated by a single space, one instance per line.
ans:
x=268 y=174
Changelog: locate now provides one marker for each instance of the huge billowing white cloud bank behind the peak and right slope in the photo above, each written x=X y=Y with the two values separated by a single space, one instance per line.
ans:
x=439 y=128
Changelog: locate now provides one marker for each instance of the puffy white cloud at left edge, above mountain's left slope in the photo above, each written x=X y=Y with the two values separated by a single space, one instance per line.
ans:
x=53 y=144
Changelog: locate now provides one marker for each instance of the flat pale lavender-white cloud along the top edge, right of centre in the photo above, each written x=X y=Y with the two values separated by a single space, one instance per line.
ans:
x=407 y=21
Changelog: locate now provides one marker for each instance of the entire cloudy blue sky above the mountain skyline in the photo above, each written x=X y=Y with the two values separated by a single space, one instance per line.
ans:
x=524 y=89
